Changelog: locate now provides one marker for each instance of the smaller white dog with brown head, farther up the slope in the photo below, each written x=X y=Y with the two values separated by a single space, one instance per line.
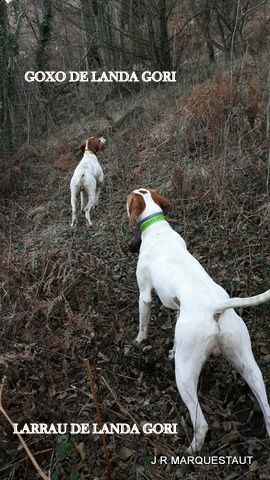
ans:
x=87 y=178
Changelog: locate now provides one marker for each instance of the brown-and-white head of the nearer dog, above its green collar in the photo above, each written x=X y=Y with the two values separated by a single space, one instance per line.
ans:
x=138 y=199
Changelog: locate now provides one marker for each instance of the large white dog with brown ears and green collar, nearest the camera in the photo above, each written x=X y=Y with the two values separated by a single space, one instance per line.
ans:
x=207 y=322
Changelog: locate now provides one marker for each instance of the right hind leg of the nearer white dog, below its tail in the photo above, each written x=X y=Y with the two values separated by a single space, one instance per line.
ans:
x=236 y=347
